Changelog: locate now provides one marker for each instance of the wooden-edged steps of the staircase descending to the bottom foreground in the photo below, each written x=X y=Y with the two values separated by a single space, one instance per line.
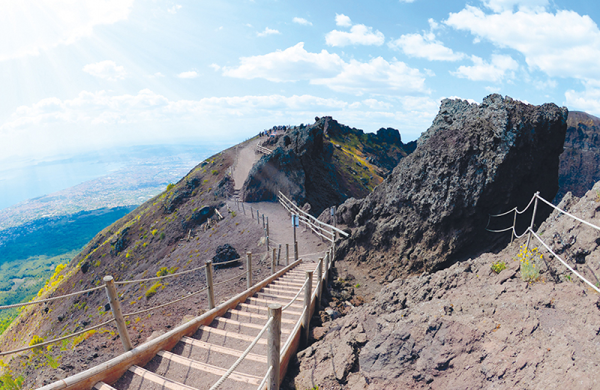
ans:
x=197 y=362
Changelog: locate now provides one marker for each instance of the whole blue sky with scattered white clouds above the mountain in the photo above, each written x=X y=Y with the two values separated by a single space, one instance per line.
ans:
x=89 y=74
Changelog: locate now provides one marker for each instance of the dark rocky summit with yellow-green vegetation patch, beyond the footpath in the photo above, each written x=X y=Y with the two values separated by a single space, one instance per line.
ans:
x=324 y=164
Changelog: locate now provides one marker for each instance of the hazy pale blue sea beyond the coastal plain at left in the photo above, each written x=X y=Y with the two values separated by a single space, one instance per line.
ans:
x=27 y=180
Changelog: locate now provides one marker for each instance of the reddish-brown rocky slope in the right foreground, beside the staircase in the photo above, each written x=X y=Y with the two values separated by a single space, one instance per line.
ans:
x=467 y=327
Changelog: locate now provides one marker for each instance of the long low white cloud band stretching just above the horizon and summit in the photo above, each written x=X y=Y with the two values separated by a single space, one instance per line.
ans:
x=95 y=120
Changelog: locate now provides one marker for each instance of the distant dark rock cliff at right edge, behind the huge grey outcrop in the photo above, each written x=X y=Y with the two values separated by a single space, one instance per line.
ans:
x=580 y=161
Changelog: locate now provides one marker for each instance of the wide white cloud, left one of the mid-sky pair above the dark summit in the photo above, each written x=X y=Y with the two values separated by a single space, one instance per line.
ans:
x=291 y=64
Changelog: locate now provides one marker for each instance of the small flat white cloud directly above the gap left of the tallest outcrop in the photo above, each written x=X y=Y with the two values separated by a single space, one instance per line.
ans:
x=425 y=46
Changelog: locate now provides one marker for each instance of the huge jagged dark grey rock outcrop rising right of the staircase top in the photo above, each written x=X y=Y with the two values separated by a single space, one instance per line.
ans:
x=475 y=160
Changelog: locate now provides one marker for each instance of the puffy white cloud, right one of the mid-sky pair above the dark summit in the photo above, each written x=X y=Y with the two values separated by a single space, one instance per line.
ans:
x=377 y=77
